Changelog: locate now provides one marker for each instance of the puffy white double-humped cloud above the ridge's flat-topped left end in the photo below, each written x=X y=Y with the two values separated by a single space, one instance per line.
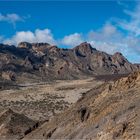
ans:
x=28 y=36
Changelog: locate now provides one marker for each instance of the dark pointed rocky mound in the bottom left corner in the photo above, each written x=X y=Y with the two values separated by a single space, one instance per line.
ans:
x=14 y=125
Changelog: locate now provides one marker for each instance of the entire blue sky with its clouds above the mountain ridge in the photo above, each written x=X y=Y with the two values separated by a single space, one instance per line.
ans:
x=109 y=26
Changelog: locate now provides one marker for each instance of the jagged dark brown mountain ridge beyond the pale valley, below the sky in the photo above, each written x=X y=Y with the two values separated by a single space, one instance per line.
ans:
x=35 y=62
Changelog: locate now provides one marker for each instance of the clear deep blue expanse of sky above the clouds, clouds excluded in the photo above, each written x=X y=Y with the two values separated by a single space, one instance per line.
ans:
x=61 y=17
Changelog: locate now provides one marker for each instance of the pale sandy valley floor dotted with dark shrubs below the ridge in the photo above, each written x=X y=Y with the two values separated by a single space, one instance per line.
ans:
x=38 y=101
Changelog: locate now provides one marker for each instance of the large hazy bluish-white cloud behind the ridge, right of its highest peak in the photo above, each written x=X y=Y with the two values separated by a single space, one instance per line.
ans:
x=109 y=39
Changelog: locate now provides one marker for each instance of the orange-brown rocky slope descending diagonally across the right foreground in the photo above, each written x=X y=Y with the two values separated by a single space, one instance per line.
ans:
x=109 y=111
